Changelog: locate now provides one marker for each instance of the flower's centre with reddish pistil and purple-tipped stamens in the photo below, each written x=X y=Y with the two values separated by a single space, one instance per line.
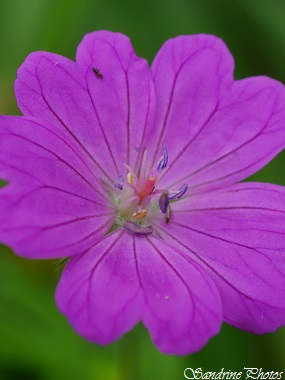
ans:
x=138 y=197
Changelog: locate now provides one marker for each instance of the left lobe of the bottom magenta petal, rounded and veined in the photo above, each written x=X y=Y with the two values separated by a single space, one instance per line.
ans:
x=99 y=291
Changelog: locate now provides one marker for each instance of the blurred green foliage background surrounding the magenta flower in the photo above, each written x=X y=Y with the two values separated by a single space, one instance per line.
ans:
x=36 y=343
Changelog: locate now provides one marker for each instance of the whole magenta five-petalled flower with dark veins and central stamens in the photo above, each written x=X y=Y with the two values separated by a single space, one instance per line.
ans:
x=133 y=173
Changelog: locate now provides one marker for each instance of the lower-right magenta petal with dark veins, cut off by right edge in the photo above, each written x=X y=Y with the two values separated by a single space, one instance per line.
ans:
x=238 y=235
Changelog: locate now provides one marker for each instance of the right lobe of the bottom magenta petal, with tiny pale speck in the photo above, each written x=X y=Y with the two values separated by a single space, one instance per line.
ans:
x=183 y=305
